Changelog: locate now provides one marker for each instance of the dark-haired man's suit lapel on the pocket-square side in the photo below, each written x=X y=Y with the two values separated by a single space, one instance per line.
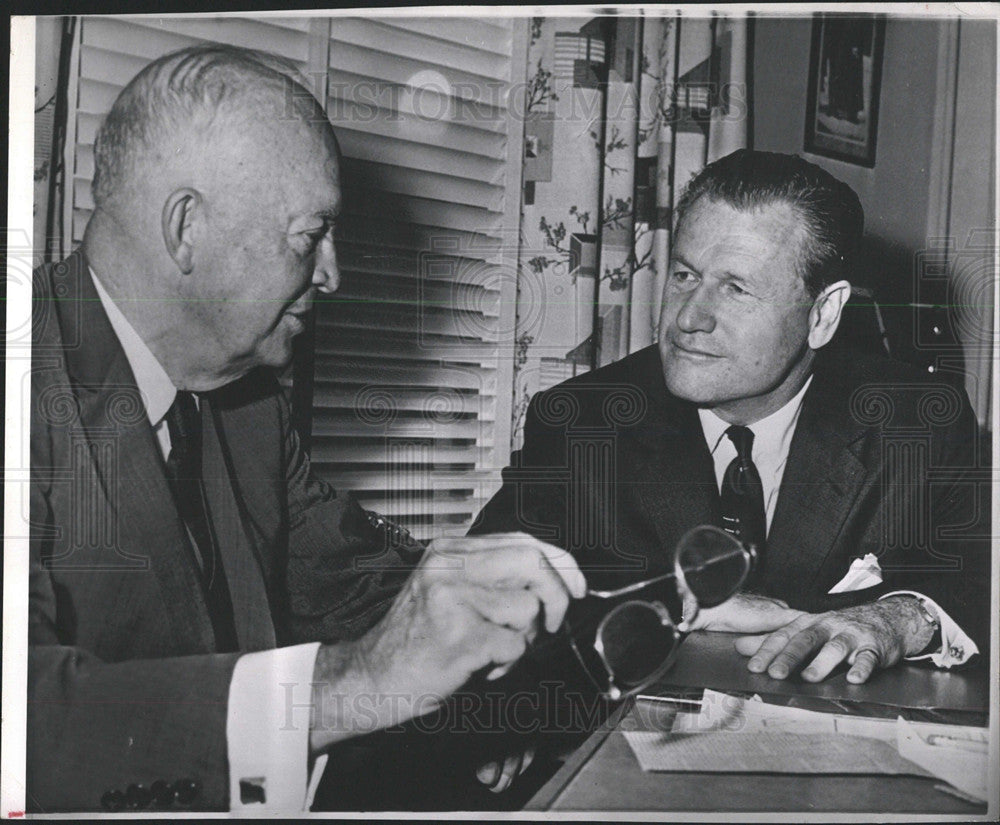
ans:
x=823 y=477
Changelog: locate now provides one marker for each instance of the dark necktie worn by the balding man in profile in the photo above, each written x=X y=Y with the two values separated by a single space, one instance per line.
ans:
x=184 y=471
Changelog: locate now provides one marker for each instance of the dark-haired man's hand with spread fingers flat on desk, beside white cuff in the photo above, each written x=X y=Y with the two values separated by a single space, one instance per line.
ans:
x=867 y=636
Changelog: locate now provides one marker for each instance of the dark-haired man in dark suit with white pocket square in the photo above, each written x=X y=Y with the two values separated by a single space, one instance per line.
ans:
x=860 y=481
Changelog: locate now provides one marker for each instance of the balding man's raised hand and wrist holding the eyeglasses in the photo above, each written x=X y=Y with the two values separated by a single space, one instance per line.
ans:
x=472 y=603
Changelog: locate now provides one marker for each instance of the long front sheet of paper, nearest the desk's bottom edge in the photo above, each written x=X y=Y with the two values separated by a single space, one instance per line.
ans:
x=766 y=752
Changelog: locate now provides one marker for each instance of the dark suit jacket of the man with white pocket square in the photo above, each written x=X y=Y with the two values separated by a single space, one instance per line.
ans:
x=882 y=461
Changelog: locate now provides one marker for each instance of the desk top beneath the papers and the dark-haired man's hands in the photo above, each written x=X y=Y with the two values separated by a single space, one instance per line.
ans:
x=603 y=774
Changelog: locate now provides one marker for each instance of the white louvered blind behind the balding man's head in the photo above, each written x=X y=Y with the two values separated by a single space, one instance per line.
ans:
x=414 y=353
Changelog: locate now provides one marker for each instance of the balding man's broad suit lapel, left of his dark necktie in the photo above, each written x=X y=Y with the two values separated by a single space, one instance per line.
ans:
x=126 y=463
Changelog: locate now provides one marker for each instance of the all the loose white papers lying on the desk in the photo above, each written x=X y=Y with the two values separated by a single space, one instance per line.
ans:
x=792 y=740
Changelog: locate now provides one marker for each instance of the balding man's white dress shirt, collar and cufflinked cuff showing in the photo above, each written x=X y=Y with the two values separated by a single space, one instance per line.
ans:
x=267 y=723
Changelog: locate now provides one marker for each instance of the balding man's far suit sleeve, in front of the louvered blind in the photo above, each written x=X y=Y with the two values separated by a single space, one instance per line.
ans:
x=343 y=573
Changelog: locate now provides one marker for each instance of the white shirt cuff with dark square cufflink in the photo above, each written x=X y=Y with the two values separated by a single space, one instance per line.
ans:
x=267 y=731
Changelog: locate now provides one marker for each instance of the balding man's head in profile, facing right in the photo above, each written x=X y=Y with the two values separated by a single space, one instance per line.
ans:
x=217 y=187
